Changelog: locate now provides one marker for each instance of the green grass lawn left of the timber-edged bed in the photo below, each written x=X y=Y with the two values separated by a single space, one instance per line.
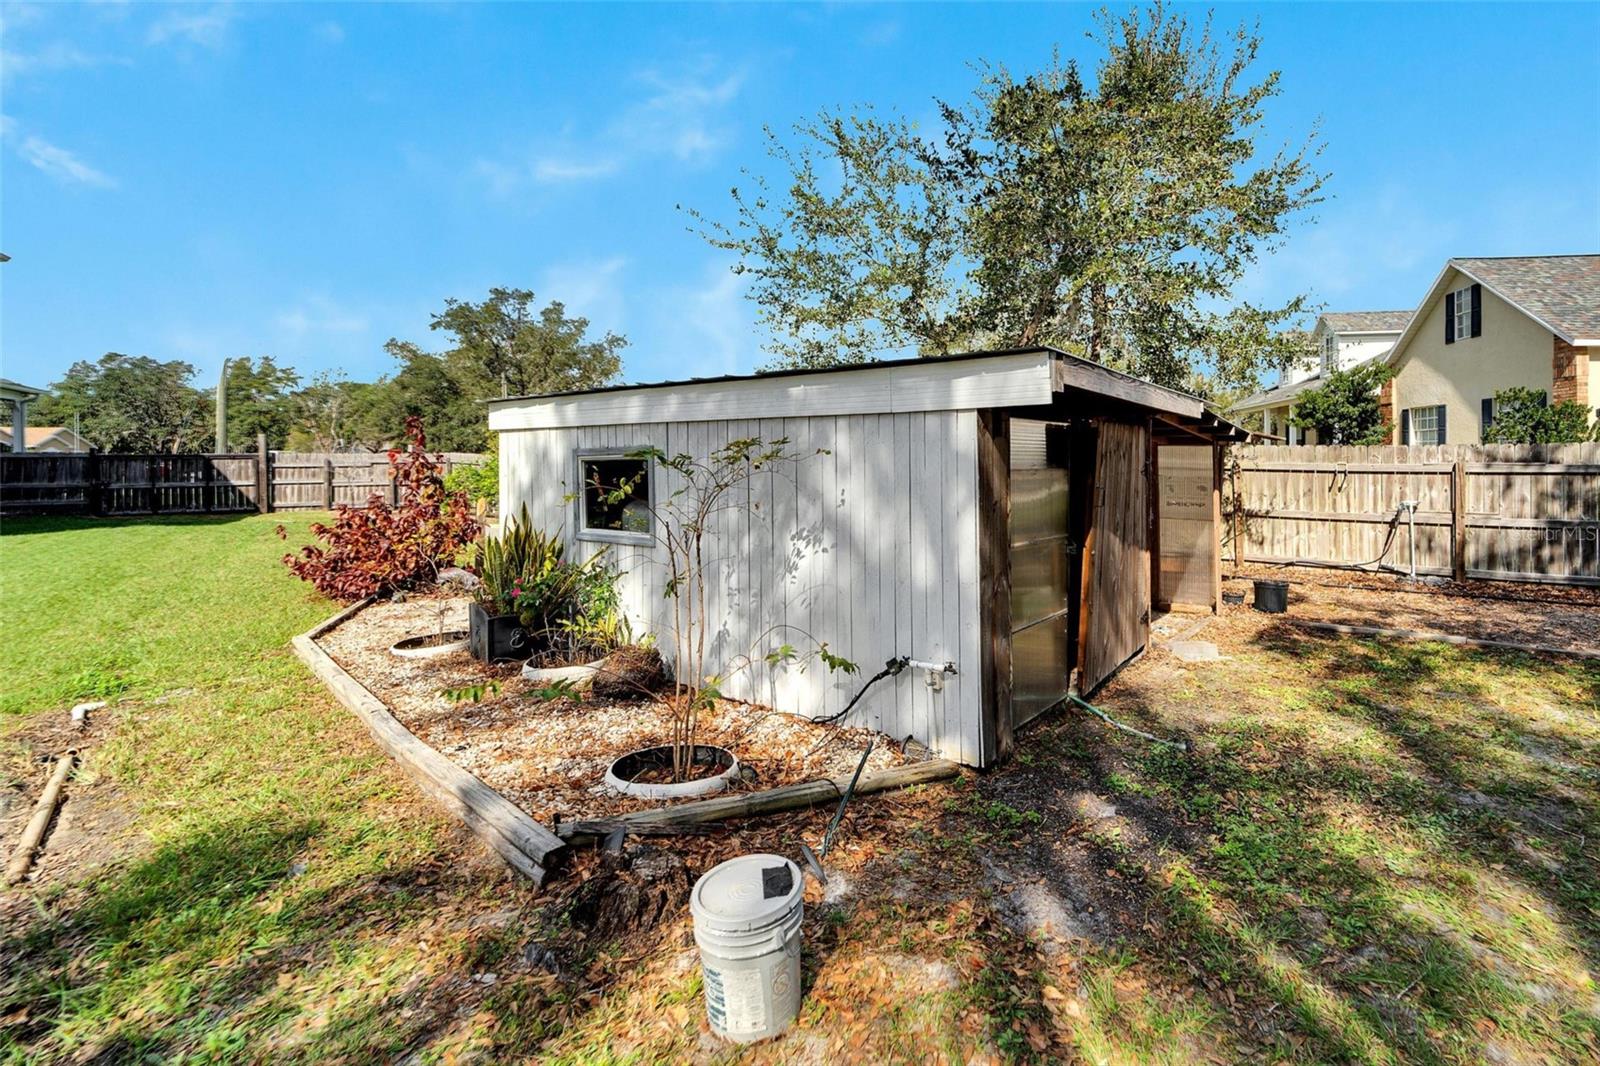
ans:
x=273 y=894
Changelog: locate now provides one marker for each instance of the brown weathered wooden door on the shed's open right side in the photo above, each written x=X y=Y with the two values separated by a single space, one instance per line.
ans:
x=1116 y=619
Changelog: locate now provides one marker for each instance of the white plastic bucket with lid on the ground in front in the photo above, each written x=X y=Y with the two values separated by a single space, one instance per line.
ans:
x=748 y=918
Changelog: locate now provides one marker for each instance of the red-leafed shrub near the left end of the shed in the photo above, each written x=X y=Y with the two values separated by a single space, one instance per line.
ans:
x=380 y=548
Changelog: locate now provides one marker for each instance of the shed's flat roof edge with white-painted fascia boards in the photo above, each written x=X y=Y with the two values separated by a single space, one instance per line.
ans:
x=1023 y=377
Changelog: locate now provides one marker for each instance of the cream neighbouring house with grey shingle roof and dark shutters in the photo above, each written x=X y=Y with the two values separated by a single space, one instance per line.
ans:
x=1490 y=324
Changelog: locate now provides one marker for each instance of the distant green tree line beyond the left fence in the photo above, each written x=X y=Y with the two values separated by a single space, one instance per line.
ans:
x=502 y=347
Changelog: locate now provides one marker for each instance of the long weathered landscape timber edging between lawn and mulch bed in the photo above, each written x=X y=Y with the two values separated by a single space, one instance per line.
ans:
x=519 y=840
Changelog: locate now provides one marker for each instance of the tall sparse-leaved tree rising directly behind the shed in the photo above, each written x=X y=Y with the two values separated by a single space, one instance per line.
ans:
x=1111 y=220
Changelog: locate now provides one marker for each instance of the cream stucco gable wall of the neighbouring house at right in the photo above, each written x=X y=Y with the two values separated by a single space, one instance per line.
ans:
x=1513 y=351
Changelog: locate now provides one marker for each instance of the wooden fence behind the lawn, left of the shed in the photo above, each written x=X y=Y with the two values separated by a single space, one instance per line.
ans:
x=42 y=483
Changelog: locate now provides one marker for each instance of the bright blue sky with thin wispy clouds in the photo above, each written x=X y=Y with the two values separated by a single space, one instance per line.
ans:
x=306 y=182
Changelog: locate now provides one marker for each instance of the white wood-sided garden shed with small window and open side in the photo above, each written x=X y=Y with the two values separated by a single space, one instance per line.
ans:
x=994 y=511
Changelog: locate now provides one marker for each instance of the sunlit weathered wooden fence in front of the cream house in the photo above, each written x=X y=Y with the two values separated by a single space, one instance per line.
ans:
x=1508 y=513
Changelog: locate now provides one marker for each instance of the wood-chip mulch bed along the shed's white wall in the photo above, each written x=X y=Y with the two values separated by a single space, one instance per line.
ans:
x=550 y=758
